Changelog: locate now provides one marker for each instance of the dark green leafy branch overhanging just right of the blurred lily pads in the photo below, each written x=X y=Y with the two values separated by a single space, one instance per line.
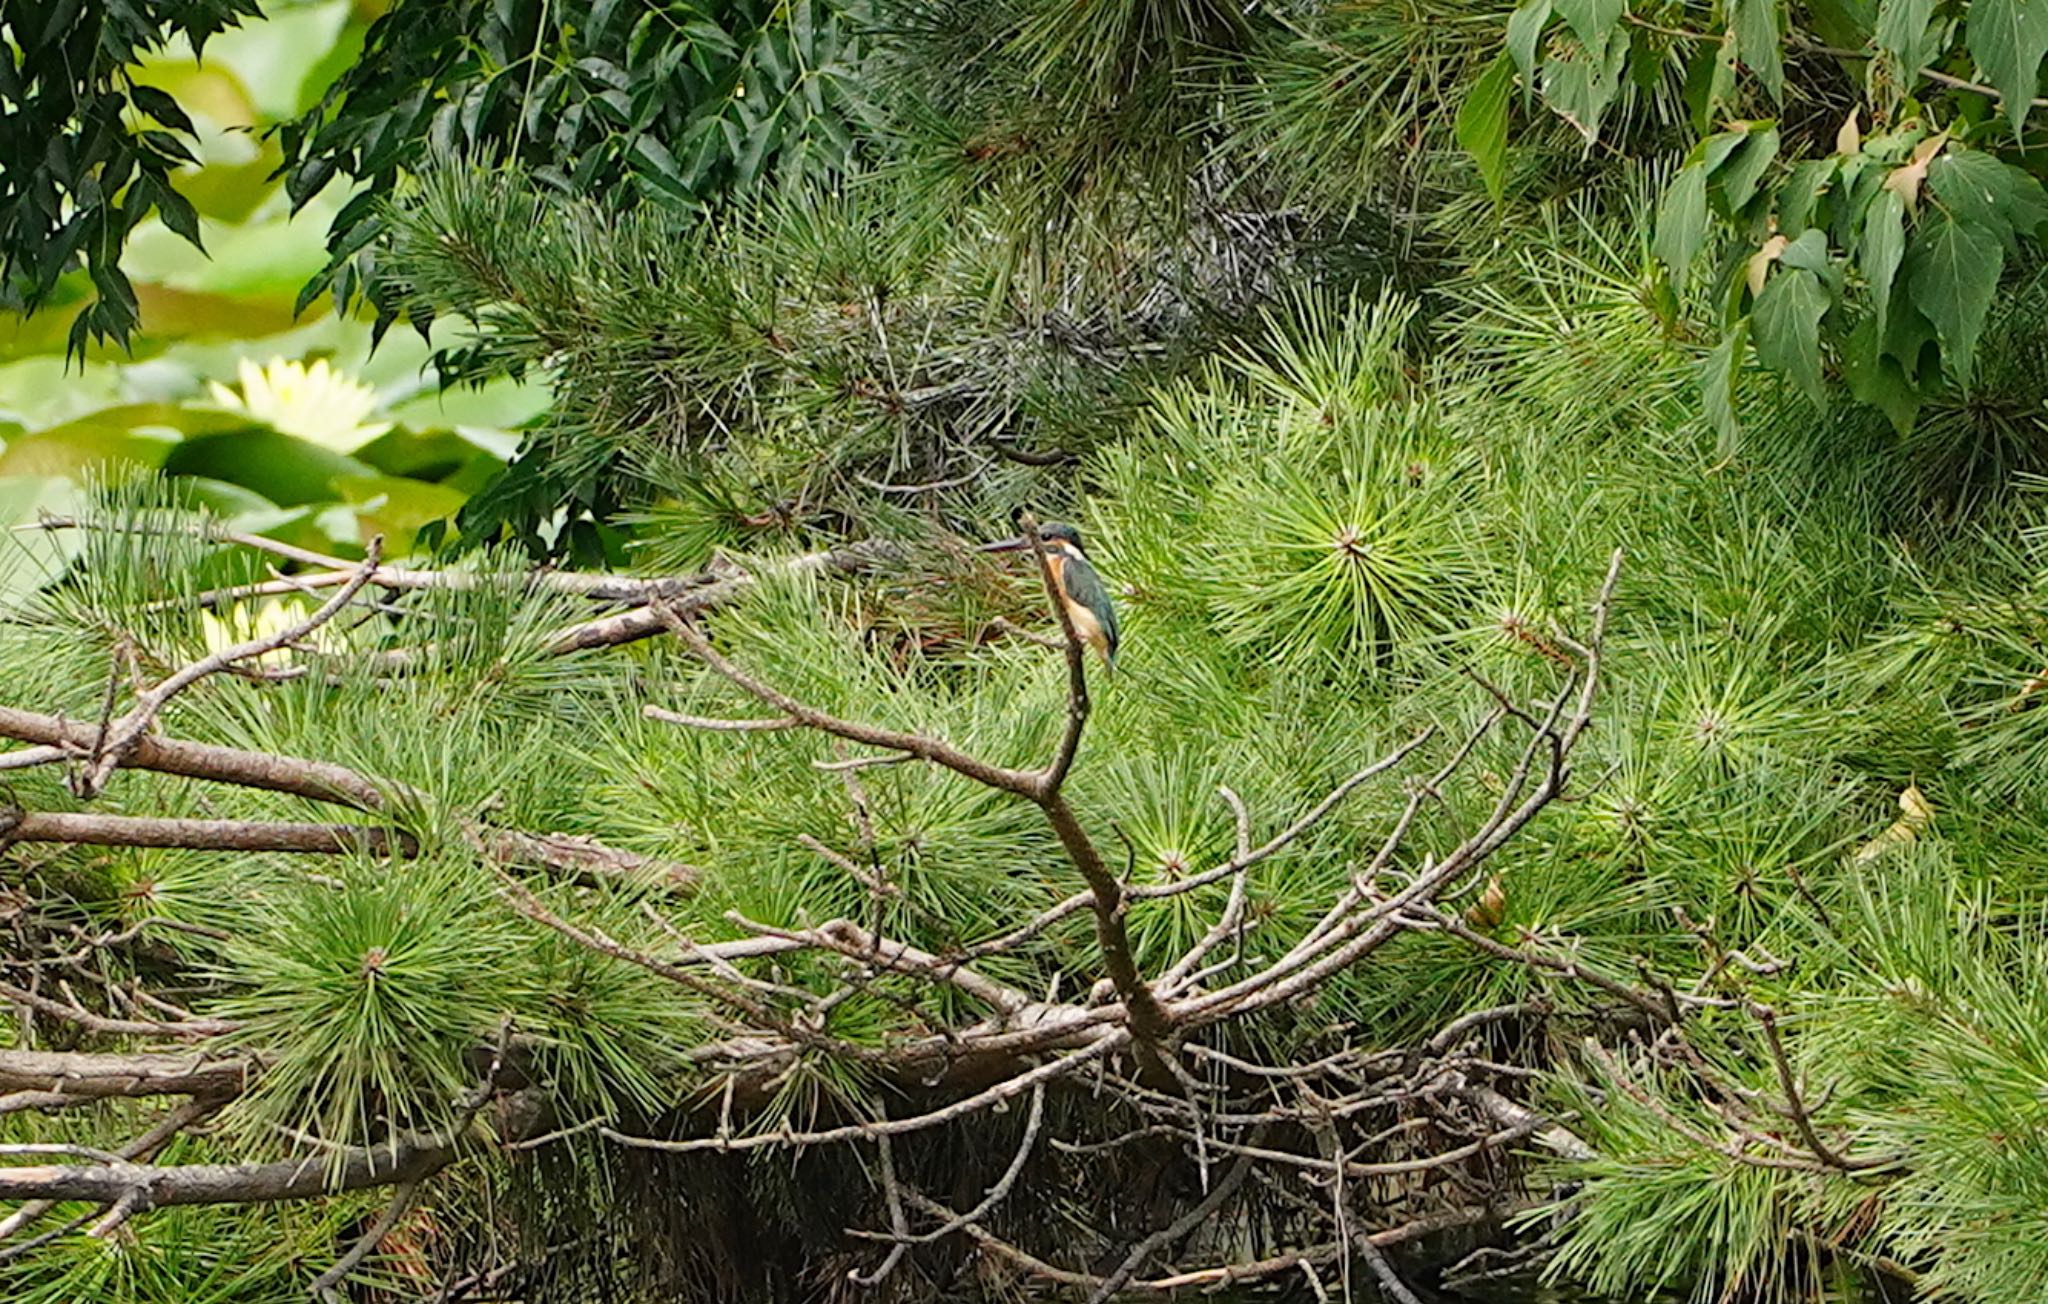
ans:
x=617 y=101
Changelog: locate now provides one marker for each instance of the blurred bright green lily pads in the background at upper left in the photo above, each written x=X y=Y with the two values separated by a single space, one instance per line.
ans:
x=69 y=408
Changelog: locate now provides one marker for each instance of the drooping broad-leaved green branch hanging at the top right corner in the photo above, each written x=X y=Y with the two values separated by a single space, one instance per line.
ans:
x=1861 y=185
